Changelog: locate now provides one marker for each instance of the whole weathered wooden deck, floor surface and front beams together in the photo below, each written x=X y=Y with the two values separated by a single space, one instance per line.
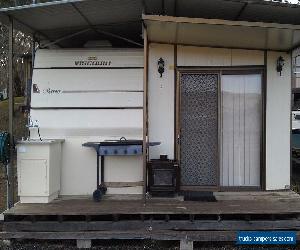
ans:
x=166 y=219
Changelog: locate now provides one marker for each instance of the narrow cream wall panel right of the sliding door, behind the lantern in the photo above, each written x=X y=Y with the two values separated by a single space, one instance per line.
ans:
x=278 y=122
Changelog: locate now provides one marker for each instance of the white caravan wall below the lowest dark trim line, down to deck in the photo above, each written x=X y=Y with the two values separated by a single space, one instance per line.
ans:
x=78 y=176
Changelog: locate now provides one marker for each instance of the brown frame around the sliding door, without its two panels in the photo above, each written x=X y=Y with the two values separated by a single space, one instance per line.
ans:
x=242 y=70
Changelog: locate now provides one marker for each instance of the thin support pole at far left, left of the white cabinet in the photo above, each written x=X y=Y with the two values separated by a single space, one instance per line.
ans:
x=10 y=170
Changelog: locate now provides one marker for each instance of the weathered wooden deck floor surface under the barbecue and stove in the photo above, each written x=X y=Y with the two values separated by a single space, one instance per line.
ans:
x=284 y=203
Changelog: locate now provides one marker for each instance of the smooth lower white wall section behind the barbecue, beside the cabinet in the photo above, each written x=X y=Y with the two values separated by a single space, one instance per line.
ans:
x=78 y=176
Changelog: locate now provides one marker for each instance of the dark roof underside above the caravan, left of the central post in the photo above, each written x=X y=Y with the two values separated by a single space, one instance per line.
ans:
x=57 y=19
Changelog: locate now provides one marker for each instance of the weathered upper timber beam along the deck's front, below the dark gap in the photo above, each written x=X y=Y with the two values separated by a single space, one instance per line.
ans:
x=179 y=225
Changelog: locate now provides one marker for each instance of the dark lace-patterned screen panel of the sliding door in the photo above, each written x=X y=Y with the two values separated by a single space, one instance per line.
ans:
x=199 y=129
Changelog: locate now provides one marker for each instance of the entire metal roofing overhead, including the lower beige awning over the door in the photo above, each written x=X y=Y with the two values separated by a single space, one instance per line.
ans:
x=71 y=23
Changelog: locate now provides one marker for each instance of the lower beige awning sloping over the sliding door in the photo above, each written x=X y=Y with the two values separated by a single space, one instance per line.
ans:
x=222 y=33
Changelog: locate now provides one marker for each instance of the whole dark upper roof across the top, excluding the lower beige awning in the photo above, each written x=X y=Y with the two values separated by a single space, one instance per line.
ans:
x=102 y=19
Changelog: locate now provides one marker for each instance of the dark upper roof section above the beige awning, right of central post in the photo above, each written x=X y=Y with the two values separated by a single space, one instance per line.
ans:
x=246 y=10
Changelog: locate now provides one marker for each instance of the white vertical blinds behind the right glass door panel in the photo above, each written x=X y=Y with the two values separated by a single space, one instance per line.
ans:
x=240 y=128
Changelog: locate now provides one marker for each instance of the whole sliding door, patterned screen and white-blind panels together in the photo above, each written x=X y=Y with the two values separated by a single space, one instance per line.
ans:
x=219 y=129
